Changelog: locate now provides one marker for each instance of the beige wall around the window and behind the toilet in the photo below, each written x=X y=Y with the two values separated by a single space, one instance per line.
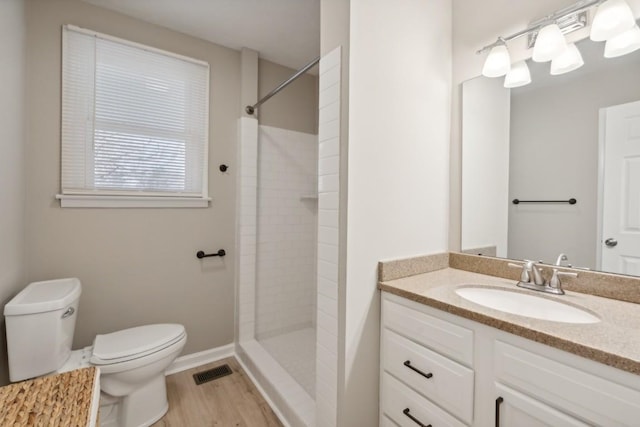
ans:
x=137 y=266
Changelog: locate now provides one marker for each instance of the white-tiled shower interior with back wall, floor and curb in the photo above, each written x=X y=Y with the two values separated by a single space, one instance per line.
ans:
x=277 y=234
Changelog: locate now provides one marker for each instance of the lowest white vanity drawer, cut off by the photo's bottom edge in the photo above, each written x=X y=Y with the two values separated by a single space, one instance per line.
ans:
x=399 y=402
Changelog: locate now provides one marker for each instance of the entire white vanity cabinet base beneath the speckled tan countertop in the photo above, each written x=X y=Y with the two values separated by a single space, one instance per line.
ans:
x=482 y=376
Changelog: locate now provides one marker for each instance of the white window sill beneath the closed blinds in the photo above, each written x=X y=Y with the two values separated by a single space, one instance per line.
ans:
x=90 y=201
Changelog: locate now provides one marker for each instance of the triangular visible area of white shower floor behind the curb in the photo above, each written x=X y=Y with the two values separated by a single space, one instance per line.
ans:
x=296 y=353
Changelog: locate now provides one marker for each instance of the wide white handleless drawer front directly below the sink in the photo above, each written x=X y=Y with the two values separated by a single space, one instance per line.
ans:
x=583 y=395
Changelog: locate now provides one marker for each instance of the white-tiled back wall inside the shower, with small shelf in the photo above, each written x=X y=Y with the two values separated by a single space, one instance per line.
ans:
x=286 y=234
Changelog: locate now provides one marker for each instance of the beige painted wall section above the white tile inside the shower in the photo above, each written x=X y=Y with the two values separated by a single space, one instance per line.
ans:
x=296 y=106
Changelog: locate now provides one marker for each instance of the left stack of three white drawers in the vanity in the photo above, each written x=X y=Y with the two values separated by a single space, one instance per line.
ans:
x=426 y=369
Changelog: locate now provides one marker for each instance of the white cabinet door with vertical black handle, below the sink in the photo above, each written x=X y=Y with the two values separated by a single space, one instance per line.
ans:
x=514 y=409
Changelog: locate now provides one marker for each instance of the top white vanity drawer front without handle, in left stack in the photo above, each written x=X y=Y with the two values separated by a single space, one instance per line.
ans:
x=446 y=338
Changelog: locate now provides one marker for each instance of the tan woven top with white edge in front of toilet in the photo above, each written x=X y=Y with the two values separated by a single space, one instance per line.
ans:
x=67 y=399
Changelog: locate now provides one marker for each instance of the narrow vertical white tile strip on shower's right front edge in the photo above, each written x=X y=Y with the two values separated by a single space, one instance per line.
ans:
x=328 y=239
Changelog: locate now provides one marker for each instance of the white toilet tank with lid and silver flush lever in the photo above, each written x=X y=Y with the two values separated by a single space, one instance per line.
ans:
x=40 y=323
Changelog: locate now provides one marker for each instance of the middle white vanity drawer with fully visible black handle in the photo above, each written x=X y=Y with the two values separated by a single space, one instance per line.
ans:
x=450 y=384
